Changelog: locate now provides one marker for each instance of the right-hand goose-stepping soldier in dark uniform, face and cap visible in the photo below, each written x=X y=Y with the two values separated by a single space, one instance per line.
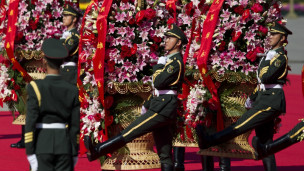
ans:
x=268 y=99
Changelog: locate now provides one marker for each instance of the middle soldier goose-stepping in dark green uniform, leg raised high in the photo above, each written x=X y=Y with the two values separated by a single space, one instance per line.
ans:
x=160 y=117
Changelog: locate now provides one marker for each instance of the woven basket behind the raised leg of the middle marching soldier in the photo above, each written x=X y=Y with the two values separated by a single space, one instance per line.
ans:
x=141 y=154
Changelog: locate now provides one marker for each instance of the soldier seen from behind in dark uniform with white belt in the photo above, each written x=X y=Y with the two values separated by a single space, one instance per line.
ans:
x=53 y=116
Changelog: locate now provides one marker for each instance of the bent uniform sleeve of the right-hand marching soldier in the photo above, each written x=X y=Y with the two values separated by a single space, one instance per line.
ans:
x=274 y=70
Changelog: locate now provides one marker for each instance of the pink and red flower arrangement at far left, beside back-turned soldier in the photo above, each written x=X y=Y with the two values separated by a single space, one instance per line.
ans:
x=37 y=20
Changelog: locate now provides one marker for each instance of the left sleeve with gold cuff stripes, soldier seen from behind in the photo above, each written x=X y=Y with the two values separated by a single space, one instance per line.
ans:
x=32 y=114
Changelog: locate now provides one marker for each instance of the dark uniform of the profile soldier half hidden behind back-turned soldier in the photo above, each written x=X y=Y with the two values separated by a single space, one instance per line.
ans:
x=71 y=41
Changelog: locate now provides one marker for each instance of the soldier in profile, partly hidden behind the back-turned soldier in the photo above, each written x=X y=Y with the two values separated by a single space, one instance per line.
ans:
x=70 y=39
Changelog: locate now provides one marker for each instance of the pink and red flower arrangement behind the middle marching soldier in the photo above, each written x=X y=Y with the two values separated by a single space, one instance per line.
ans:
x=133 y=44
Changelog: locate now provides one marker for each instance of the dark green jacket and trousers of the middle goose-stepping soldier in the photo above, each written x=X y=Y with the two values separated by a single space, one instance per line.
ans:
x=161 y=114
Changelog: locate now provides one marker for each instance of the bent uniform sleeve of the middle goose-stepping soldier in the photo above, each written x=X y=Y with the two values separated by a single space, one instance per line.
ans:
x=167 y=75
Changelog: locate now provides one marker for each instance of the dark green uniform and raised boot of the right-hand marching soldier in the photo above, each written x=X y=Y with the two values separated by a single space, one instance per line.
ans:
x=268 y=103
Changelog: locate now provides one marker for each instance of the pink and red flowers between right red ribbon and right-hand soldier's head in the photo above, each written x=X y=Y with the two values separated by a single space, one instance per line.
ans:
x=241 y=34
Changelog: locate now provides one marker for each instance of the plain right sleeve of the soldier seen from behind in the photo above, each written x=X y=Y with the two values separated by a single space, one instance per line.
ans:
x=75 y=126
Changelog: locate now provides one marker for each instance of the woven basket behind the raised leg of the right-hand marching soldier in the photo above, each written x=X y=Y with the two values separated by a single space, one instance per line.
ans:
x=239 y=146
